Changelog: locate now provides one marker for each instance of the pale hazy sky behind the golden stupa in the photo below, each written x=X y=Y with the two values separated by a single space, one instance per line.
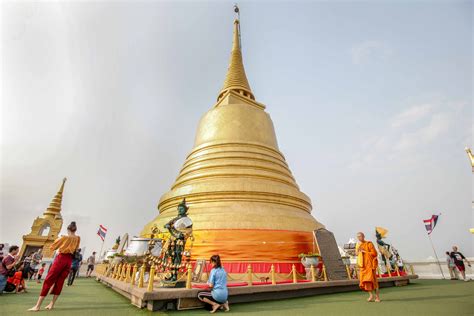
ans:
x=371 y=102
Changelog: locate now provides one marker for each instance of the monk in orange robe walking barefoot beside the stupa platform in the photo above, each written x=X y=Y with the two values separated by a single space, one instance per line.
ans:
x=367 y=262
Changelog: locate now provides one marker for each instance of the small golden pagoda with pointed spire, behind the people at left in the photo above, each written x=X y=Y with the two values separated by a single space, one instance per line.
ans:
x=45 y=228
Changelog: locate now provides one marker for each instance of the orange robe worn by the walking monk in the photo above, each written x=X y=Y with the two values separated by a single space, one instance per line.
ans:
x=368 y=277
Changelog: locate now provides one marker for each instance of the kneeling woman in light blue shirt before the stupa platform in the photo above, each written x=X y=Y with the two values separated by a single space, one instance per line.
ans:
x=217 y=297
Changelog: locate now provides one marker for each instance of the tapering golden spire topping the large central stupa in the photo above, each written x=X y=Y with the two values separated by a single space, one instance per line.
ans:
x=236 y=79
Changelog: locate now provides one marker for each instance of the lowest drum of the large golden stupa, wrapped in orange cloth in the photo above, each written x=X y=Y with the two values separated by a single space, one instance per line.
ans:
x=244 y=240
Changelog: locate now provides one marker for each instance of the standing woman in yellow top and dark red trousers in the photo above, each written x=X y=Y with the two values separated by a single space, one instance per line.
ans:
x=66 y=246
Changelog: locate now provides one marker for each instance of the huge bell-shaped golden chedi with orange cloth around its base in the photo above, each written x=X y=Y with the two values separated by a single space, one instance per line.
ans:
x=243 y=200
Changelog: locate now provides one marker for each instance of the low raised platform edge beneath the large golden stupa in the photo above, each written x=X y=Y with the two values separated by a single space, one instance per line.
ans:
x=182 y=299
